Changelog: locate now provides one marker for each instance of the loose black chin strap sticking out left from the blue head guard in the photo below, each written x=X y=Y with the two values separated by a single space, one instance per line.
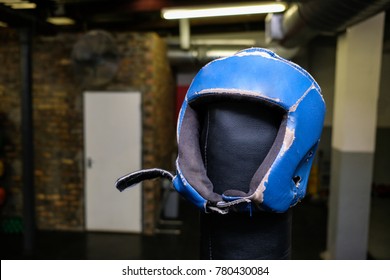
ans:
x=131 y=179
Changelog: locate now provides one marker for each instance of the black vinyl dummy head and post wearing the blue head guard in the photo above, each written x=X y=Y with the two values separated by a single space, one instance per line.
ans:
x=236 y=137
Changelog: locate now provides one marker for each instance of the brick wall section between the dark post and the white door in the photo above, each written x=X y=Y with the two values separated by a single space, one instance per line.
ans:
x=58 y=135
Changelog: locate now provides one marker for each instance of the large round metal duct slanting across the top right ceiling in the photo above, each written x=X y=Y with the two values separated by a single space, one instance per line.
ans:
x=304 y=21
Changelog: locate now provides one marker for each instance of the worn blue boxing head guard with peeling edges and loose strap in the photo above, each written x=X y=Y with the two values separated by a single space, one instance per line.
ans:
x=263 y=79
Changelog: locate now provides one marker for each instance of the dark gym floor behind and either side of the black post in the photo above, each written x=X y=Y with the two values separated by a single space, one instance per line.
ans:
x=308 y=238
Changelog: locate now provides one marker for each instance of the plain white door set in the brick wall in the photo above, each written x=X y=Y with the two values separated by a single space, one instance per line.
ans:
x=112 y=138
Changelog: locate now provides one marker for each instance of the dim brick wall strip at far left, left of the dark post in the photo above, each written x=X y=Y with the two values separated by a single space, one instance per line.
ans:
x=10 y=116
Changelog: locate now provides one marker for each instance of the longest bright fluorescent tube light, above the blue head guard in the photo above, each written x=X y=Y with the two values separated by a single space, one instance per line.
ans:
x=223 y=10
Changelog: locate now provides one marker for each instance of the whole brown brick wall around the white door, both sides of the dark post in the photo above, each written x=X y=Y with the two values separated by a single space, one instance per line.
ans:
x=58 y=124
